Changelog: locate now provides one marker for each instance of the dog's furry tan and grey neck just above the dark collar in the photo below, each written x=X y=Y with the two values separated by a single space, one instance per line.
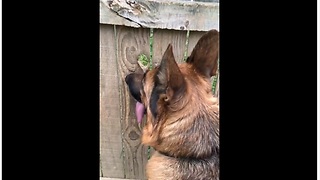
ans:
x=201 y=139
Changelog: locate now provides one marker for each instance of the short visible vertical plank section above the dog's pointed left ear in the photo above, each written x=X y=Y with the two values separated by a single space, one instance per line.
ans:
x=161 y=40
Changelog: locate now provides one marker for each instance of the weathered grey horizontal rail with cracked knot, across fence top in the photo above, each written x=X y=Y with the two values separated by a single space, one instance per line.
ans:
x=178 y=15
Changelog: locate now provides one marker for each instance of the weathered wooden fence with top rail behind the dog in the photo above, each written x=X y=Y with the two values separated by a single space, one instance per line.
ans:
x=127 y=30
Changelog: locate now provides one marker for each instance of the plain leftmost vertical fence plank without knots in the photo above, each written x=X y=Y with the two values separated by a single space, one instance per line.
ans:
x=110 y=127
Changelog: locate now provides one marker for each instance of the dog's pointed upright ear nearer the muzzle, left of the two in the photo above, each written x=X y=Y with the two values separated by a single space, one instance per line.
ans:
x=169 y=76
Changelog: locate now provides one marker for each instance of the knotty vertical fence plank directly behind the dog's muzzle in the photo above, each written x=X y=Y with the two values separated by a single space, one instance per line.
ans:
x=130 y=43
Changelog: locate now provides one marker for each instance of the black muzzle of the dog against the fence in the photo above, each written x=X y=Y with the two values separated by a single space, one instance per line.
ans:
x=134 y=82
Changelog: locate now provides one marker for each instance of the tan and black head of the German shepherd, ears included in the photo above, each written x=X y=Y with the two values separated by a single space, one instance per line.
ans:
x=170 y=91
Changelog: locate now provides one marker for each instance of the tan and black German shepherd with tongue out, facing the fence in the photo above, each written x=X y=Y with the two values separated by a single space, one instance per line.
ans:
x=182 y=113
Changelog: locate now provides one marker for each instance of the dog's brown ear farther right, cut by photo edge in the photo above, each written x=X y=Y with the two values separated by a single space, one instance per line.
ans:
x=204 y=56
